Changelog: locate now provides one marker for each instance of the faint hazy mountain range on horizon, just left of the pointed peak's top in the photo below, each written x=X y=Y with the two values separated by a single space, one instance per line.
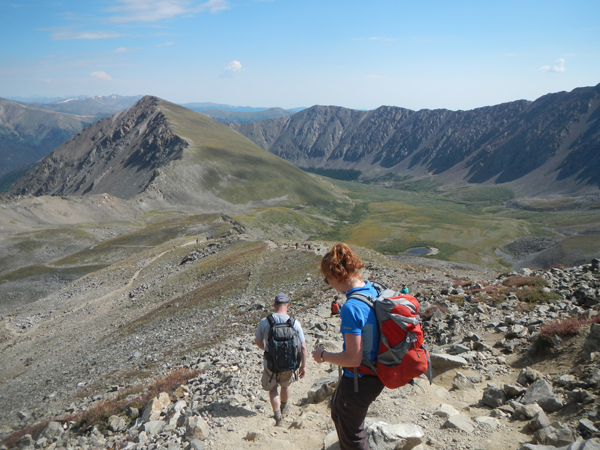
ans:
x=99 y=106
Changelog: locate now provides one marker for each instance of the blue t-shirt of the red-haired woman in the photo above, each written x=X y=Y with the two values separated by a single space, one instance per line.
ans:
x=359 y=318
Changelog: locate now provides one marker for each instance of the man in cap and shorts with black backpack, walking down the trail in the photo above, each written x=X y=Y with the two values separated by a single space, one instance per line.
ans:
x=282 y=339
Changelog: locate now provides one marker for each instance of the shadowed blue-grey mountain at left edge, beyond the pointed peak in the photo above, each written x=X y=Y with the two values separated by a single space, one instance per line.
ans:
x=28 y=134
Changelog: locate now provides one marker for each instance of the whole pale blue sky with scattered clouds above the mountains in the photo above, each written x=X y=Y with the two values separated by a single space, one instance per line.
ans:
x=415 y=54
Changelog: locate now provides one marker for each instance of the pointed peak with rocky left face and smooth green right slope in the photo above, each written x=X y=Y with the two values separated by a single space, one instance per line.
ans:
x=168 y=155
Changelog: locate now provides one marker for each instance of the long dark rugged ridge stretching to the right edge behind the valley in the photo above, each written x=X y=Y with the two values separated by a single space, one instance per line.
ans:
x=541 y=147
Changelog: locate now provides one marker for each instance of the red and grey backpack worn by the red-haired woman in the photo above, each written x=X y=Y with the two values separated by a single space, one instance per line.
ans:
x=402 y=355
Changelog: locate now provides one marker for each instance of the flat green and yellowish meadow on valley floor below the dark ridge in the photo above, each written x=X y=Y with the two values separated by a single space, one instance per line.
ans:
x=465 y=224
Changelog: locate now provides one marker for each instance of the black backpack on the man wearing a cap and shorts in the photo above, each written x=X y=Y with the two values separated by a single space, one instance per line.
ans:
x=285 y=352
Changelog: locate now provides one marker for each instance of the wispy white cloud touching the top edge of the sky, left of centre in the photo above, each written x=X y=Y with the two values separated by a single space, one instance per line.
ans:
x=155 y=10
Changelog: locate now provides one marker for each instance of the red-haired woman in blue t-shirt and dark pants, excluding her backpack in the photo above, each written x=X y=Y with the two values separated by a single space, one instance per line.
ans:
x=341 y=269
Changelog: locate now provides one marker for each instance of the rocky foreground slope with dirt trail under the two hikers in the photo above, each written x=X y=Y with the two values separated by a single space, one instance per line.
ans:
x=195 y=304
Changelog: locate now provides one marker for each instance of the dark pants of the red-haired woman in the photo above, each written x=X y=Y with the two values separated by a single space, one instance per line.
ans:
x=349 y=409
